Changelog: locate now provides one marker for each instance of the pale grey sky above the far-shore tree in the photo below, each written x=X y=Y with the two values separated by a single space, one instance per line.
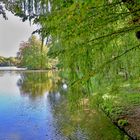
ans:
x=12 y=32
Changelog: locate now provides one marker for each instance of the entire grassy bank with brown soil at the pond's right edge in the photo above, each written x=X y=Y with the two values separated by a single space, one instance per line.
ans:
x=123 y=107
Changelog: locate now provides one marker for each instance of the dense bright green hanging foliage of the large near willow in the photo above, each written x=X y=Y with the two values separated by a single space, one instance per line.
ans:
x=92 y=42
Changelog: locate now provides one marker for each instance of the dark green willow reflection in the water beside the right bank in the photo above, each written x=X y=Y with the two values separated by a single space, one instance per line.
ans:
x=81 y=123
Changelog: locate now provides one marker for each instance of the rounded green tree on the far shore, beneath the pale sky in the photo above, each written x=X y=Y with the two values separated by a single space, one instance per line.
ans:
x=32 y=56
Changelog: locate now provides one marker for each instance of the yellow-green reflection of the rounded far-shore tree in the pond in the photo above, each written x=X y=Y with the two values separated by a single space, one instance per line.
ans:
x=35 y=84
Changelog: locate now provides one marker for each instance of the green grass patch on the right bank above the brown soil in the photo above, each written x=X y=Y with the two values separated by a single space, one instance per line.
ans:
x=115 y=104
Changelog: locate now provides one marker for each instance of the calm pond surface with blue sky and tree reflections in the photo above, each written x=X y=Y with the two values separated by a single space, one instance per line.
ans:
x=33 y=106
